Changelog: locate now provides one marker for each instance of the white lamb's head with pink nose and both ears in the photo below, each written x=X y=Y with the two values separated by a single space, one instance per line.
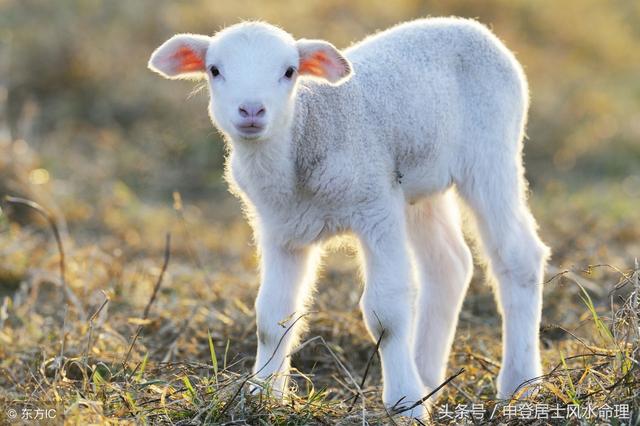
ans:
x=252 y=71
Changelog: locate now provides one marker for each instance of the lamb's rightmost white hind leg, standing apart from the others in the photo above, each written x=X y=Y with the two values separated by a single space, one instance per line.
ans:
x=517 y=258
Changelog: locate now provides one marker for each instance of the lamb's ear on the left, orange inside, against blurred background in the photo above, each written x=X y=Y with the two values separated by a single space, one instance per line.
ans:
x=182 y=56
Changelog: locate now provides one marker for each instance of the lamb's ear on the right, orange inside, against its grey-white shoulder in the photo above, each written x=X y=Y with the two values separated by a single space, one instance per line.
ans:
x=321 y=59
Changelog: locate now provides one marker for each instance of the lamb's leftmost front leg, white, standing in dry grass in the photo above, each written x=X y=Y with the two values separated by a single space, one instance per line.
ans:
x=286 y=277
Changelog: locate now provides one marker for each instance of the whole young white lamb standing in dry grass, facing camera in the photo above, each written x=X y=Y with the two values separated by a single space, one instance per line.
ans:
x=381 y=140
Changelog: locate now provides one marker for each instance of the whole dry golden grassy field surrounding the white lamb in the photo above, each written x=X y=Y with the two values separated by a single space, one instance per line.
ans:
x=127 y=297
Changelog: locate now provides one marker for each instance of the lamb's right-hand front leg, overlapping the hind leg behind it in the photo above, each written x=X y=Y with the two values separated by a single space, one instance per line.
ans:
x=387 y=305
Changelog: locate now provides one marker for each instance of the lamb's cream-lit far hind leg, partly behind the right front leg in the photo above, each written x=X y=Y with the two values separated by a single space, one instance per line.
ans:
x=443 y=268
